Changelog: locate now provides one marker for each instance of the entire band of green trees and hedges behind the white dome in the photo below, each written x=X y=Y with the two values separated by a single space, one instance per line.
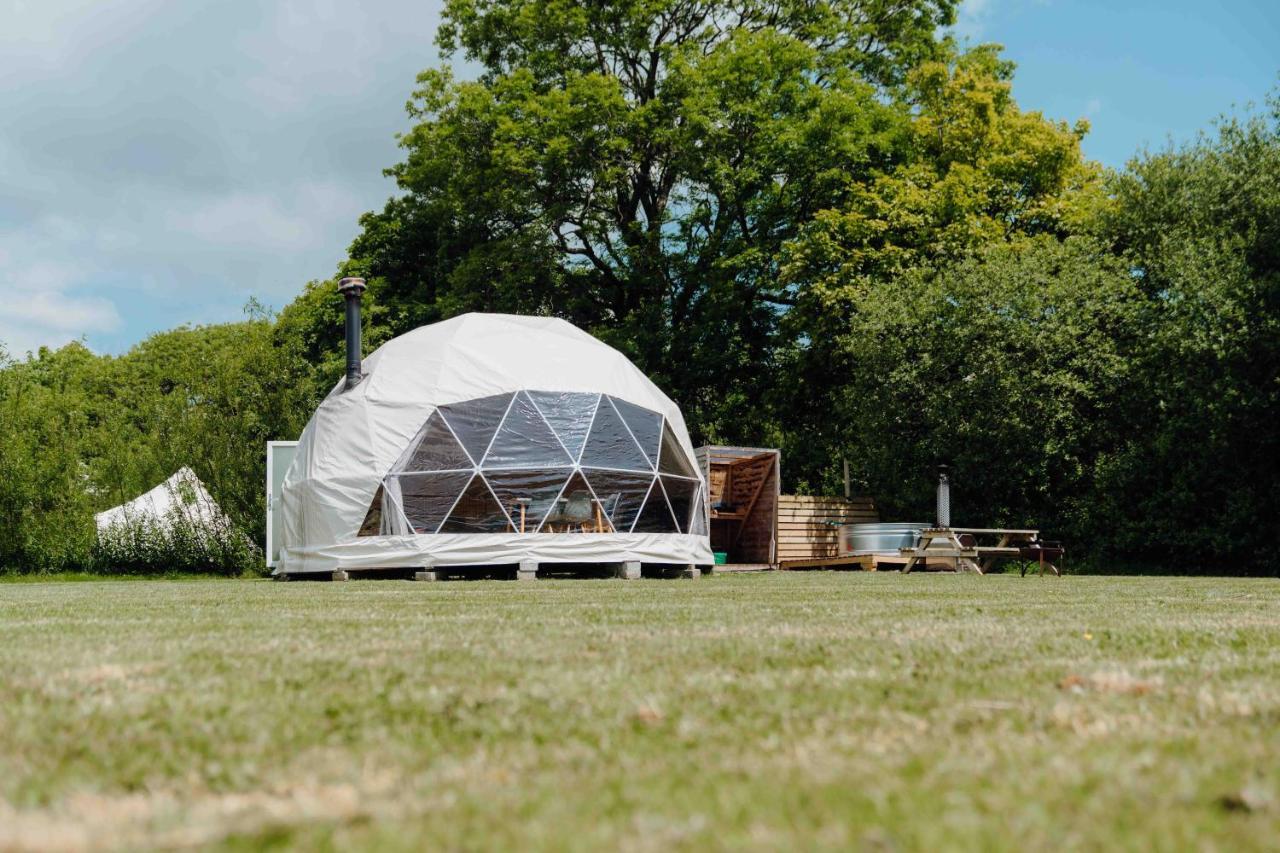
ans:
x=817 y=226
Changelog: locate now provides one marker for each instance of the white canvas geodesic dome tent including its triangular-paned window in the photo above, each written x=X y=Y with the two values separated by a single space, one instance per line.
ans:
x=488 y=440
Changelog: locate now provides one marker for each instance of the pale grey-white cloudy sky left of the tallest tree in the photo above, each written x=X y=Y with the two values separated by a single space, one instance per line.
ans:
x=164 y=162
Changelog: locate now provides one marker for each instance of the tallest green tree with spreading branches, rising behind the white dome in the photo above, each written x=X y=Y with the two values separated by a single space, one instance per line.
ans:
x=638 y=167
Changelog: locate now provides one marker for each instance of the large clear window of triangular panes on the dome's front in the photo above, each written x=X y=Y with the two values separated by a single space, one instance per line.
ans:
x=529 y=448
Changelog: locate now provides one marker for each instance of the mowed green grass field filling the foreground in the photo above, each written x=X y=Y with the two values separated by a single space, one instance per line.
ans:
x=826 y=710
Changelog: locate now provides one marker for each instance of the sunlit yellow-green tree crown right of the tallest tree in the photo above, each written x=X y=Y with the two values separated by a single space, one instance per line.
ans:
x=980 y=172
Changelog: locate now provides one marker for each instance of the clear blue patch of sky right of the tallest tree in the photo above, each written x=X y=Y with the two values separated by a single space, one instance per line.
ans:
x=1142 y=72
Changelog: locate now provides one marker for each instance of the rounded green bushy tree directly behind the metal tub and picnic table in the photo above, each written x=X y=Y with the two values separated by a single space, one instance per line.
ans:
x=1002 y=364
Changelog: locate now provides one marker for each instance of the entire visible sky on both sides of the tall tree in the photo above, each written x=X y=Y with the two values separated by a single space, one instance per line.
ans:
x=161 y=162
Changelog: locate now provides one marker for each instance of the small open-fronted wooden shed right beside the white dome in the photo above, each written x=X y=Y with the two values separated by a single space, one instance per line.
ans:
x=746 y=486
